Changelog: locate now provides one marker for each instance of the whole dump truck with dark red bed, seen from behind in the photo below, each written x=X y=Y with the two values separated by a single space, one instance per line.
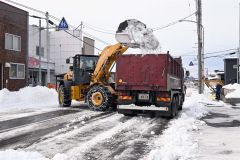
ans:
x=151 y=83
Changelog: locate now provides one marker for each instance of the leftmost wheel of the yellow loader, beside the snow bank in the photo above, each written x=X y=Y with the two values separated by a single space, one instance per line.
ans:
x=64 y=96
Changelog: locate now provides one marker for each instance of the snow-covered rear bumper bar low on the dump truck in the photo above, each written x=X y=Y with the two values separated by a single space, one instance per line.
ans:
x=142 y=108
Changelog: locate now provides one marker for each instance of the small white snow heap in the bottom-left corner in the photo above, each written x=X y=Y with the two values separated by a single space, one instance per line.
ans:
x=20 y=155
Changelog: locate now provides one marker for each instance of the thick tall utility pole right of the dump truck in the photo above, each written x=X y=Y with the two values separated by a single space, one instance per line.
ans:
x=200 y=49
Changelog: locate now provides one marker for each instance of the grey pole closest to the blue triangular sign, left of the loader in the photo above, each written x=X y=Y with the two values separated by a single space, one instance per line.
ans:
x=47 y=47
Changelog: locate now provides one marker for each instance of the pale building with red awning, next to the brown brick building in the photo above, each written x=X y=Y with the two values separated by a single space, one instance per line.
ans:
x=34 y=59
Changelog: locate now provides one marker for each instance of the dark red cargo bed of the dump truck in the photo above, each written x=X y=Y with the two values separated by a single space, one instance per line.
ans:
x=159 y=72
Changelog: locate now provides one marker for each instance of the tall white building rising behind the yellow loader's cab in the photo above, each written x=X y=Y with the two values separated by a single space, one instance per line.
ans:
x=63 y=46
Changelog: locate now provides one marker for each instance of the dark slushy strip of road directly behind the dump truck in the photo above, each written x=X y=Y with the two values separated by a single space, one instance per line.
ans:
x=131 y=143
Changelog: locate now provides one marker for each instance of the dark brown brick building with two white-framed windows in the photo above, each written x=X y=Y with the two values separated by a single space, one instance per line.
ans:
x=13 y=47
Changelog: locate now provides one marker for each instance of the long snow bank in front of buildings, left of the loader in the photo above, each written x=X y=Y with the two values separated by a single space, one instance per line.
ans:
x=28 y=97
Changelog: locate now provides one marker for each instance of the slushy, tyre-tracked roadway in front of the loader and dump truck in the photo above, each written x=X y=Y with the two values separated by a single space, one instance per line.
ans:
x=96 y=135
